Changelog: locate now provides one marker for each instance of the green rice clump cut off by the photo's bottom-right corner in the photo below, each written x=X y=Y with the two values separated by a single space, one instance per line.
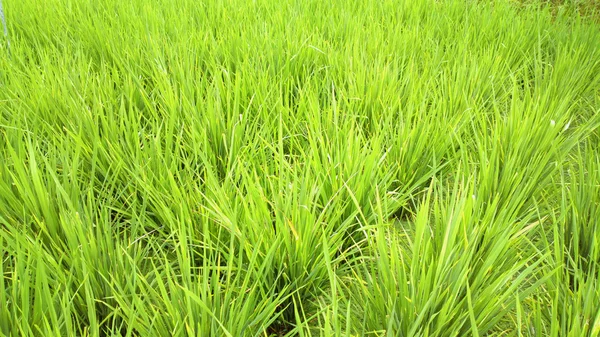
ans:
x=569 y=307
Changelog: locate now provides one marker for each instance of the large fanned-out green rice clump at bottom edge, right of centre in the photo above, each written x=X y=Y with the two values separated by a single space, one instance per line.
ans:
x=436 y=280
